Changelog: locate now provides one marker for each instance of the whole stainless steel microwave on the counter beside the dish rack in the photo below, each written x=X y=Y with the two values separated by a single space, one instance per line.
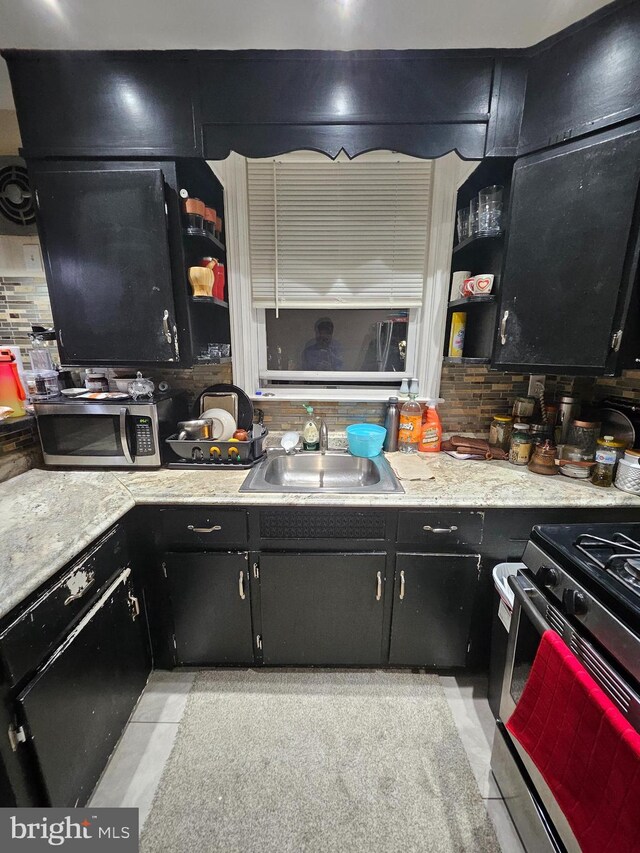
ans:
x=78 y=433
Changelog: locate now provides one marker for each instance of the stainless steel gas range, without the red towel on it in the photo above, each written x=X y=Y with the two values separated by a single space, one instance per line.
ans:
x=583 y=582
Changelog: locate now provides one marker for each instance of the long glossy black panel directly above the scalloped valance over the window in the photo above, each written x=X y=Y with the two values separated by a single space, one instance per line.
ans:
x=372 y=87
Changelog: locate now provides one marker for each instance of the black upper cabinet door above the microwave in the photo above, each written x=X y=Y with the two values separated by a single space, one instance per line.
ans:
x=106 y=249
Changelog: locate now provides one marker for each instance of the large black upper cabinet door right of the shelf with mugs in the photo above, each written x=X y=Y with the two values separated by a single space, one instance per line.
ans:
x=571 y=255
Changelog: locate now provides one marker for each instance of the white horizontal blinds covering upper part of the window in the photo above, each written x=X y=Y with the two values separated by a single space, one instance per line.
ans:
x=342 y=234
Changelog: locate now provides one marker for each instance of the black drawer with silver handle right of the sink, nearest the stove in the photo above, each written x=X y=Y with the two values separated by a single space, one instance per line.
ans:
x=435 y=528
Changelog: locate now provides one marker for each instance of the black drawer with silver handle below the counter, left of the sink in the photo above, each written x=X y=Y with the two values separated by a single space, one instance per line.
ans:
x=205 y=527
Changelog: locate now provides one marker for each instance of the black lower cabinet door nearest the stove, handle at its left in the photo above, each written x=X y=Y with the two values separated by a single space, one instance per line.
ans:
x=432 y=606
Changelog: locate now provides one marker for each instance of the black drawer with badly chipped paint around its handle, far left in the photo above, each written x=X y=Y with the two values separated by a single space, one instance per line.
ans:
x=38 y=625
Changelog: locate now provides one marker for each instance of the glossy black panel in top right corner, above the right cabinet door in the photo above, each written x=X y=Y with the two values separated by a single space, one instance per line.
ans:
x=584 y=80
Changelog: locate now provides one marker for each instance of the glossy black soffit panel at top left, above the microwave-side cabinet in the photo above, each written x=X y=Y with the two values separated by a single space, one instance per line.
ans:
x=106 y=103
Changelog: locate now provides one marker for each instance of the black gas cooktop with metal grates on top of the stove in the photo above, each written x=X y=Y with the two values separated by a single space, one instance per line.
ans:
x=606 y=556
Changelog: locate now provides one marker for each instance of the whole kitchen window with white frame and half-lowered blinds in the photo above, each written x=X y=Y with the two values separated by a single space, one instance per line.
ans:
x=337 y=282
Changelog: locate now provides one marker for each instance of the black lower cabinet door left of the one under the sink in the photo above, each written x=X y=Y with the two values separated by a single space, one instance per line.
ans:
x=211 y=608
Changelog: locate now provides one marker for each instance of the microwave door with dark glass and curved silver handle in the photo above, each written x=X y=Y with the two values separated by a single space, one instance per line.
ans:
x=91 y=434
